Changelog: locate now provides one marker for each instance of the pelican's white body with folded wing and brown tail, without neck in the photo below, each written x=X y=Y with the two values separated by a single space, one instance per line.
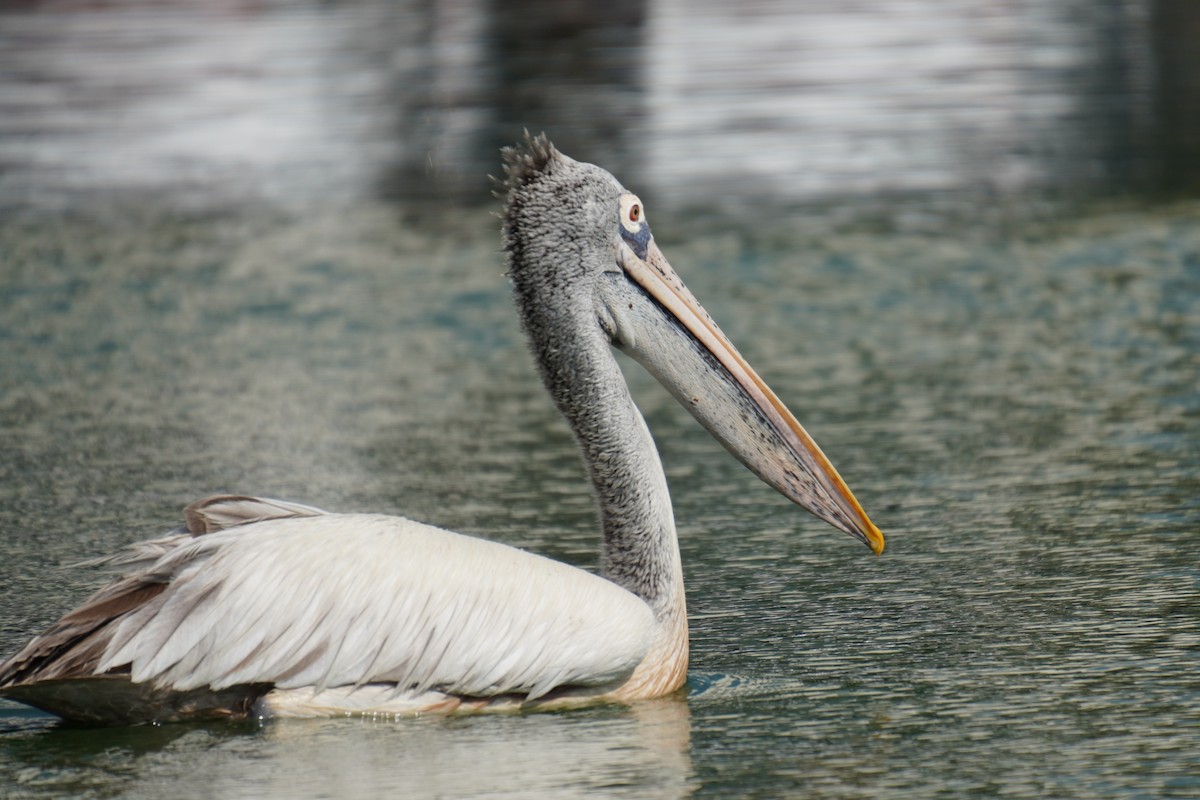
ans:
x=261 y=599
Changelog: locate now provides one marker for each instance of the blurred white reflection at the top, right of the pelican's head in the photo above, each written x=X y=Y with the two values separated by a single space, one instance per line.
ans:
x=851 y=99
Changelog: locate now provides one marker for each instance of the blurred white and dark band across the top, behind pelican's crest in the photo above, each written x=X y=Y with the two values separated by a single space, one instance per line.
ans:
x=700 y=104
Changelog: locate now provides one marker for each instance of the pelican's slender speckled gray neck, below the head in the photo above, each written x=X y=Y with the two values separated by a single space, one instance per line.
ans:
x=641 y=552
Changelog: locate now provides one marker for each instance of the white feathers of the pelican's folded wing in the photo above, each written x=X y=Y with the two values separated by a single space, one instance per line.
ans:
x=347 y=600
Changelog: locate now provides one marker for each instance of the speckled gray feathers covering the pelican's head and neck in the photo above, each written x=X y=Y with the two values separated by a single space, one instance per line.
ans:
x=559 y=234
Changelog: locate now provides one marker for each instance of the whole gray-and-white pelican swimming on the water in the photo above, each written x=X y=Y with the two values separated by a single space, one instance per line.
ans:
x=261 y=607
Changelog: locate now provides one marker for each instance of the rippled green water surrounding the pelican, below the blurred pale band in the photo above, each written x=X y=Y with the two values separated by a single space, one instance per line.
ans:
x=1017 y=407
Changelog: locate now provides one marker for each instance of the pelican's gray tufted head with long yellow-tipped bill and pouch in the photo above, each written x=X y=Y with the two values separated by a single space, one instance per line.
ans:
x=584 y=261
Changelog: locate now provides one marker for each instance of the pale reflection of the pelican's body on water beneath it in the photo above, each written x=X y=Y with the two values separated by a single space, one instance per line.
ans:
x=635 y=753
